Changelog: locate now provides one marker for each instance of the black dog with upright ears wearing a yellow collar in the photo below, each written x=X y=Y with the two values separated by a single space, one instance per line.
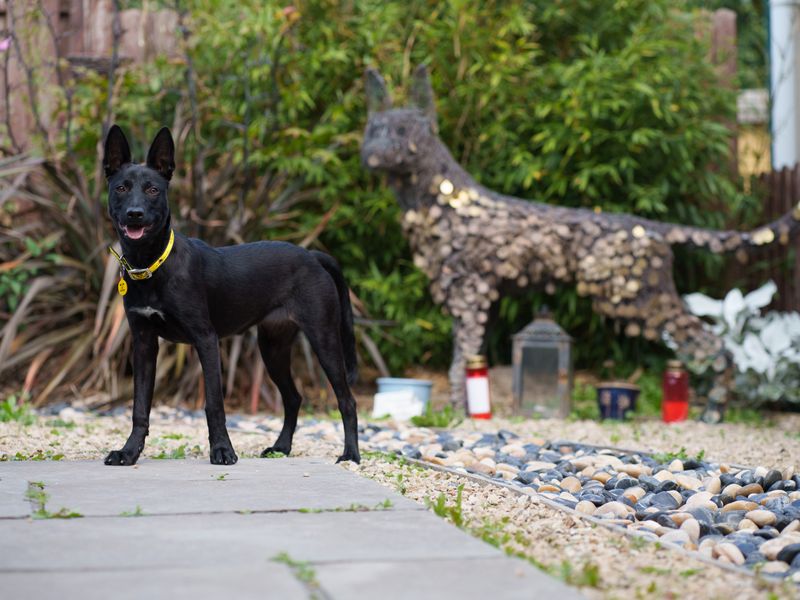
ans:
x=183 y=290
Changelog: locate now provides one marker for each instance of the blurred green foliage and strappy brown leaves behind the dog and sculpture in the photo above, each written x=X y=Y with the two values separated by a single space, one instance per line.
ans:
x=609 y=103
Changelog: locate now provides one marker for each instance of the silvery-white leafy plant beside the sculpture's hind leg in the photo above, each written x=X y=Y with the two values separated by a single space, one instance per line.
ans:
x=764 y=348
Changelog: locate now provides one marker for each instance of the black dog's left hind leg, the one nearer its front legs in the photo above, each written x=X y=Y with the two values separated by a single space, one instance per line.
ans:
x=276 y=351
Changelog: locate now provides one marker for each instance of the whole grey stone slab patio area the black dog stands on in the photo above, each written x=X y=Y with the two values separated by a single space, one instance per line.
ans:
x=203 y=538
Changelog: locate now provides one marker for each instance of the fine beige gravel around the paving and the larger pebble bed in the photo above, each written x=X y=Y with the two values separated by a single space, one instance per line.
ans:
x=606 y=564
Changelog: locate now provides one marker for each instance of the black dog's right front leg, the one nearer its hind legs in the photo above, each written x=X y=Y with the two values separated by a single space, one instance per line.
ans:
x=221 y=448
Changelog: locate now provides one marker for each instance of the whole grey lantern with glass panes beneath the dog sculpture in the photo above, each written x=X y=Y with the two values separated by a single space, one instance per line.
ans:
x=542 y=357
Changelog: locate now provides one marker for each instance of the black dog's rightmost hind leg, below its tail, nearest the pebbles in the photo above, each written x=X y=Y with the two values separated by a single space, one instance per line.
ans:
x=327 y=346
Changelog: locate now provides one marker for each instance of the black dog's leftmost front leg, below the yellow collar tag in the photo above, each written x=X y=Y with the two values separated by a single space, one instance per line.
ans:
x=145 y=351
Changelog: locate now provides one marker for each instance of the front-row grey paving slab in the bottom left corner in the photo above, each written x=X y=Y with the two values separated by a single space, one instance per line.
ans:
x=251 y=582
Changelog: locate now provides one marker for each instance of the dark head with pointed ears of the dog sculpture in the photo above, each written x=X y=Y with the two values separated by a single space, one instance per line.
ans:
x=398 y=140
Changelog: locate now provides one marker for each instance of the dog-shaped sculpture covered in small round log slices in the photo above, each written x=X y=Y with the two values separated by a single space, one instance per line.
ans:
x=474 y=243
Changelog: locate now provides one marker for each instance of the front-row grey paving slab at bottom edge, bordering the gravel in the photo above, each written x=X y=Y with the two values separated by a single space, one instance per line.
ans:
x=498 y=578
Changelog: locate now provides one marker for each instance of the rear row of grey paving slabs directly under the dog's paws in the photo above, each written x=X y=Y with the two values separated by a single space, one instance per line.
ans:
x=192 y=486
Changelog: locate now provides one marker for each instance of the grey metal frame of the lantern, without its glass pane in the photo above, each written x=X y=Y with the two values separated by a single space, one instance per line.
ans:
x=543 y=333
